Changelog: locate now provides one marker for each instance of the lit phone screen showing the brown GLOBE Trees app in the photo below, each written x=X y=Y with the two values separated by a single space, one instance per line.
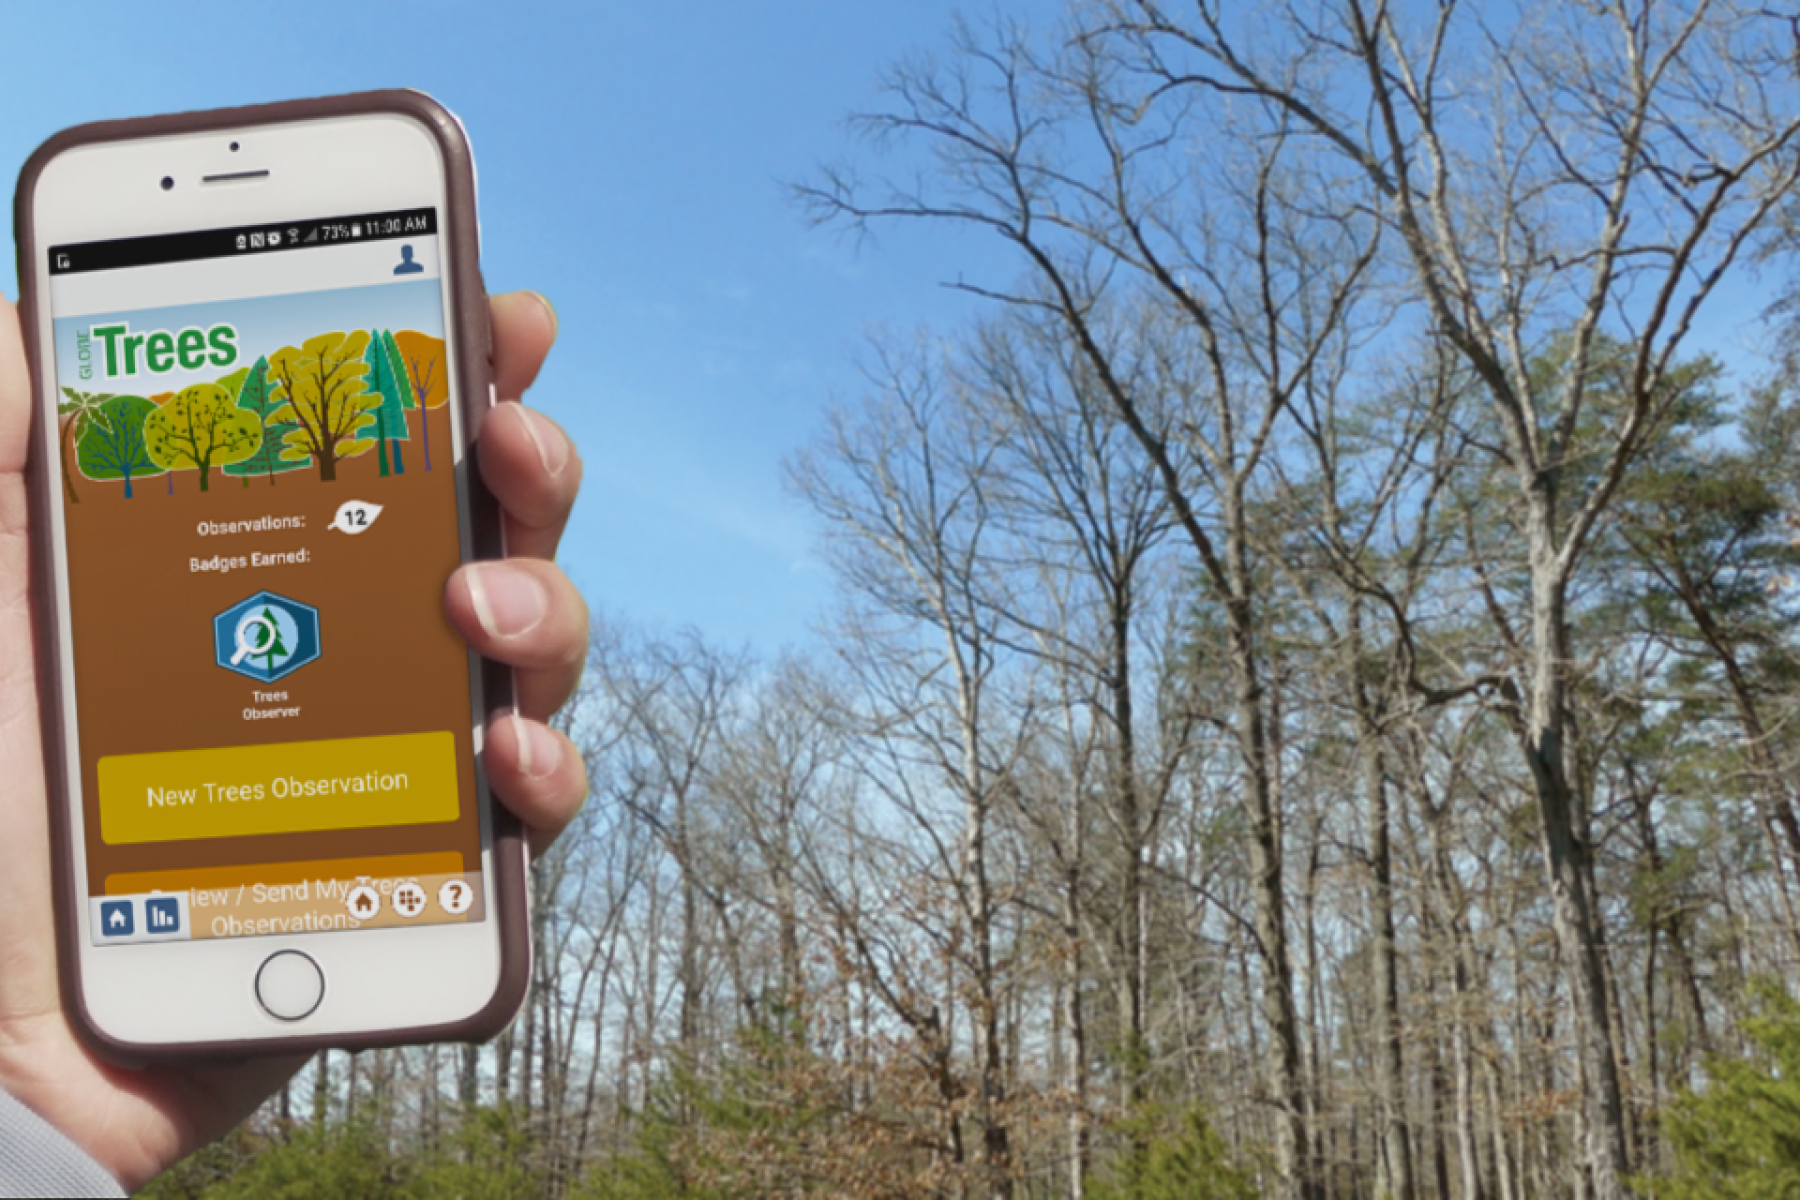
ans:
x=260 y=470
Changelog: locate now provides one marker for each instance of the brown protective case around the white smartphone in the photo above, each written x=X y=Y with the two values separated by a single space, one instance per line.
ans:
x=474 y=375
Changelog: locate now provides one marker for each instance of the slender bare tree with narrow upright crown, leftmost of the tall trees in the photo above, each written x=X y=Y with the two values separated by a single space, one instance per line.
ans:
x=904 y=488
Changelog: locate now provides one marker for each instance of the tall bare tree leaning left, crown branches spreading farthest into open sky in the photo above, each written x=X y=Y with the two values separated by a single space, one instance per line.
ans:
x=1200 y=296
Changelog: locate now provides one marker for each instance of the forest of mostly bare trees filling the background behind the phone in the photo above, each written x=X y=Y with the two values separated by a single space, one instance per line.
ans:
x=1311 y=704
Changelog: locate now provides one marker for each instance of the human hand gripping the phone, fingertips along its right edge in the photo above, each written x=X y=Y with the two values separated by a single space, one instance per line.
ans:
x=523 y=613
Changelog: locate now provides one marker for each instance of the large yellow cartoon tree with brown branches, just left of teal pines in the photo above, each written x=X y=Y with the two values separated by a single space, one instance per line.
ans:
x=325 y=395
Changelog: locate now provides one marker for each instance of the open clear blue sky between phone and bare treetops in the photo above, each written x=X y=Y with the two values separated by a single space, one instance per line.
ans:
x=631 y=170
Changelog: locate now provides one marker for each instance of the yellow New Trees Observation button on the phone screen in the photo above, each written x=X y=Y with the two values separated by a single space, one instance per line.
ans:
x=350 y=784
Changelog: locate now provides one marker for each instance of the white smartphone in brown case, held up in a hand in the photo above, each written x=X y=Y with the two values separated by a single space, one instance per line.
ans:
x=260 y=357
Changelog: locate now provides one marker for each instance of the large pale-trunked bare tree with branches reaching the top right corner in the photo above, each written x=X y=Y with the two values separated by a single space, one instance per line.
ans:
x=1623 y=183
